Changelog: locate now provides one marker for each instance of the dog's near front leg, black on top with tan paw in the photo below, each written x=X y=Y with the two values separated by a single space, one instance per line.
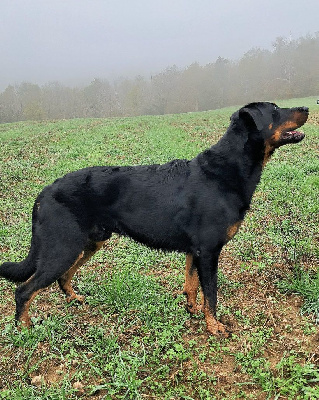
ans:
x=207 y=264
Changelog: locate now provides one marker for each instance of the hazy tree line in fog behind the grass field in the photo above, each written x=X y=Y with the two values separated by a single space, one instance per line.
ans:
x=290 y=69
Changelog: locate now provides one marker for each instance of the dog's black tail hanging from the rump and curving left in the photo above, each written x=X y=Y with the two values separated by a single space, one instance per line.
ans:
x=21 y=271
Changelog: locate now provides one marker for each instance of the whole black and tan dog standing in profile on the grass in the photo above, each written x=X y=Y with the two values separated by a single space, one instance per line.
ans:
x=191 y=206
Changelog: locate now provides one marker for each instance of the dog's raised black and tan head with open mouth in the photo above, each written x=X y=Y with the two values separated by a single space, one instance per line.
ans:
x=274 y=125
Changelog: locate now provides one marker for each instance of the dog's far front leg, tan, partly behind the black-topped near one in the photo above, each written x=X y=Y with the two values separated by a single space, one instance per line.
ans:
x=191 y=285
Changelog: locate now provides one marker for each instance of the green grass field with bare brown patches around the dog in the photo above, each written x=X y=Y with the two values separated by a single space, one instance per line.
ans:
x=133 y=339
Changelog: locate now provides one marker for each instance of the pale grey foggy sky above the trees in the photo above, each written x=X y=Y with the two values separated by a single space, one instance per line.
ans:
x=74 y=41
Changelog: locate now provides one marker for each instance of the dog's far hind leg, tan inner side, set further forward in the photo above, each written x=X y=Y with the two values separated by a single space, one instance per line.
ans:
x=65 y=279
